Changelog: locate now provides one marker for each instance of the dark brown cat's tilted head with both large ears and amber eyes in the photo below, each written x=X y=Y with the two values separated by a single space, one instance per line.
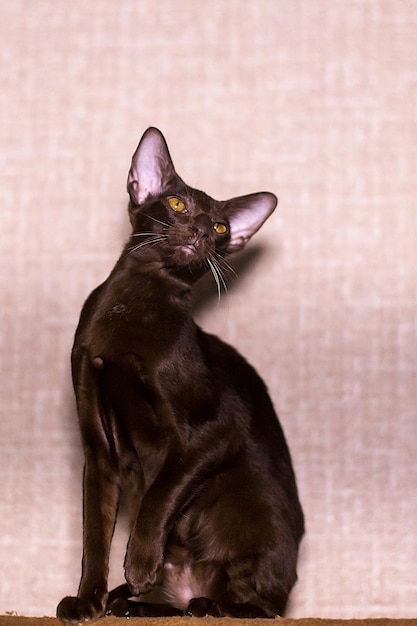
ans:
x=179 y=226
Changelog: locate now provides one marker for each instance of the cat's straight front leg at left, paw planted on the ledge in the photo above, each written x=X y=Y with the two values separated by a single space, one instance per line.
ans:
x=101 y=492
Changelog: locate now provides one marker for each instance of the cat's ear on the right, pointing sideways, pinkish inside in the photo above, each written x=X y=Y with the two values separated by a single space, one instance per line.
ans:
x=246 y=215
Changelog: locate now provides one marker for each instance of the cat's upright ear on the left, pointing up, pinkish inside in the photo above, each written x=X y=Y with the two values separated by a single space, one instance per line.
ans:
x=151 y=169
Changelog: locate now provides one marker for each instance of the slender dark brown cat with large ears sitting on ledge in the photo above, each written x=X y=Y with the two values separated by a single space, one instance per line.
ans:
x=179 y=421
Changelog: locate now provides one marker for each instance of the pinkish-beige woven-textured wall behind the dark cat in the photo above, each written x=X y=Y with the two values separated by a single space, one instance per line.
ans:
x=315 y=100
